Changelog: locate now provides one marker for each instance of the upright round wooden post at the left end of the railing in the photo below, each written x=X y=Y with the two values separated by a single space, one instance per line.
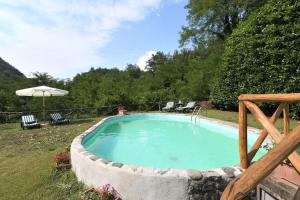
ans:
x=243 y=135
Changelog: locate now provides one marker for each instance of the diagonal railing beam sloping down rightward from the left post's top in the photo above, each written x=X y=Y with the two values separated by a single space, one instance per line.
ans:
x=274 y=133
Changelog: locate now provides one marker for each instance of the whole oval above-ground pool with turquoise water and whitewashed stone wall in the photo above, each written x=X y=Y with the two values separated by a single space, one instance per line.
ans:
x=159 y=156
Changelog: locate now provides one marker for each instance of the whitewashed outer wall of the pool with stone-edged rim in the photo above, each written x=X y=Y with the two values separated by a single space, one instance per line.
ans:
x=143 y=183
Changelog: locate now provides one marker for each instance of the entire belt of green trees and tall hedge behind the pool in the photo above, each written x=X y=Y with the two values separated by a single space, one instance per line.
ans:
x=228 y=47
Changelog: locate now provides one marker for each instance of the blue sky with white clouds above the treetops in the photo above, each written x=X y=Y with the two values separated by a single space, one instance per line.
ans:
x=63 y=37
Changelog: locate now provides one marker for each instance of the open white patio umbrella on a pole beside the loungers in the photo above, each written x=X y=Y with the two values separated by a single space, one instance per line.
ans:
x=42 y=91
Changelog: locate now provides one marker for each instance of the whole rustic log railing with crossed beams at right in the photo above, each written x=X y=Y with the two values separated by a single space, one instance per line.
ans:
x=286 y=144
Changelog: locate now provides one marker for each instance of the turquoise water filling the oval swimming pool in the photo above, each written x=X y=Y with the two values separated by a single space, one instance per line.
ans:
x=166 y=141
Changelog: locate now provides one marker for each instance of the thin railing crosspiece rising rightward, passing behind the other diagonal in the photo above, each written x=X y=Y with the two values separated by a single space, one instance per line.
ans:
x=262 y=136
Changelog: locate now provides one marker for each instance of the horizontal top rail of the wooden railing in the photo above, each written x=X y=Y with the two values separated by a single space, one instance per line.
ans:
x=292 y=97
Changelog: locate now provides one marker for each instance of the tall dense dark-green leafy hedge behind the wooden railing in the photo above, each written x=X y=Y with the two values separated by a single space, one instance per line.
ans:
x=262 y=55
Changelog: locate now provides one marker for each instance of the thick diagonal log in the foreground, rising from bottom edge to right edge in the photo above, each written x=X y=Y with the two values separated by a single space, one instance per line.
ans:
x=242 y=185
